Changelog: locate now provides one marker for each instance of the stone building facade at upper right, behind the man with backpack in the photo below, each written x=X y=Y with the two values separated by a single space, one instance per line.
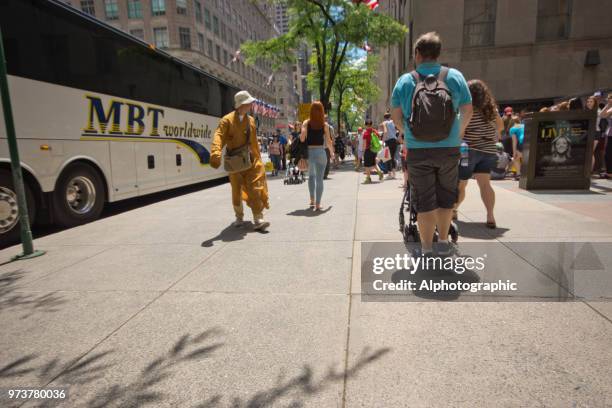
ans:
x=530 y=52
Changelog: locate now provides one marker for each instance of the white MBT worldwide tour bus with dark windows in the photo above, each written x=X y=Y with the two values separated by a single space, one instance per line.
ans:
x=100 y=116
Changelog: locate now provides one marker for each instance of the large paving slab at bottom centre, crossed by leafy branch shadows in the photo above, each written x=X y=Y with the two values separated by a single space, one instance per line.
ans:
x=241 y=350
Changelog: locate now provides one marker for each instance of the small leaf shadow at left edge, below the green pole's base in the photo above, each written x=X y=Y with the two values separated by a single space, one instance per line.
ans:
x=26 y=303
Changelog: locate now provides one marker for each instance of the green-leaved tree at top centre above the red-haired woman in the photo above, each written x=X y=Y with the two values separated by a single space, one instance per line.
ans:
x=330 y=28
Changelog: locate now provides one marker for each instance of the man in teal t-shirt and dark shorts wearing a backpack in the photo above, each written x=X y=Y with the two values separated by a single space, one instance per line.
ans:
x=432 y=106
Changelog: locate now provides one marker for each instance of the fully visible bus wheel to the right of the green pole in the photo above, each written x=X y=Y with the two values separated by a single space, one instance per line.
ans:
x=79 y=195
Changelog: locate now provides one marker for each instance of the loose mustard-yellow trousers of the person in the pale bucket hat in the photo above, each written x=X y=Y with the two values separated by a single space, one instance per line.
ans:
x=250 y=186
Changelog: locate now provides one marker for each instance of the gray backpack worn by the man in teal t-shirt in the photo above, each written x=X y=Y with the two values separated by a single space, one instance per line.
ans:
x=433 y=113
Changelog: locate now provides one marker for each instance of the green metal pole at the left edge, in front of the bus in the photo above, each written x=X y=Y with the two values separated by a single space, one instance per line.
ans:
x=26 y=233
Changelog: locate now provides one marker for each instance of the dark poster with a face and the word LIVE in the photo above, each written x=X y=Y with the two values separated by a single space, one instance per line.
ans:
x=561 y=149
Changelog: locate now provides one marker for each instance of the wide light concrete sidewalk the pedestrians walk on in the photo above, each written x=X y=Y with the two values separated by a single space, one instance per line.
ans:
x=167 y=305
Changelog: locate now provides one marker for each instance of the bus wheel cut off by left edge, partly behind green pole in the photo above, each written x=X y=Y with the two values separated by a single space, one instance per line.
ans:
x=10 y=228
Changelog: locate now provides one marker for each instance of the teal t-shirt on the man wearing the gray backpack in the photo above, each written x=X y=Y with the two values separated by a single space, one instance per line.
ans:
x=402 y=97
